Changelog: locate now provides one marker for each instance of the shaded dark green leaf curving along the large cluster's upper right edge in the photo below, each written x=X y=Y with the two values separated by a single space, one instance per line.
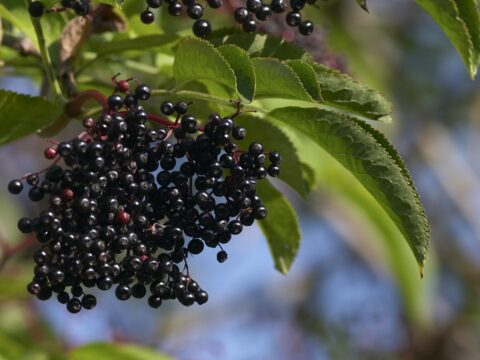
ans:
x=274 y=139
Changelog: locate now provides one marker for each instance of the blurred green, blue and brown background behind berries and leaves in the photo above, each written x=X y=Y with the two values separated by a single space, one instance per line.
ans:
x=353 y=292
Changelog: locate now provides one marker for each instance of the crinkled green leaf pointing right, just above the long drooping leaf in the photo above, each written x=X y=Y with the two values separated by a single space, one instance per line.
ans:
x=341 y=91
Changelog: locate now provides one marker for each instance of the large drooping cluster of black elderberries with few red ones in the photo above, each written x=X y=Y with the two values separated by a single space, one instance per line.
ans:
x=127 y=204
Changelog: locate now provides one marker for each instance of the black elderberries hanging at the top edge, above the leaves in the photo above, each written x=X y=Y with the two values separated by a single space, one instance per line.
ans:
x=248 y=15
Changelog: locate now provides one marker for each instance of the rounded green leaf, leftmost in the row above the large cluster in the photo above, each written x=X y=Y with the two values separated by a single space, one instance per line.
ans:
x=197 y=59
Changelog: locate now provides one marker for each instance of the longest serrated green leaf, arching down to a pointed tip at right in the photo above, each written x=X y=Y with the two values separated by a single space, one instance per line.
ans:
x=373 y=161
